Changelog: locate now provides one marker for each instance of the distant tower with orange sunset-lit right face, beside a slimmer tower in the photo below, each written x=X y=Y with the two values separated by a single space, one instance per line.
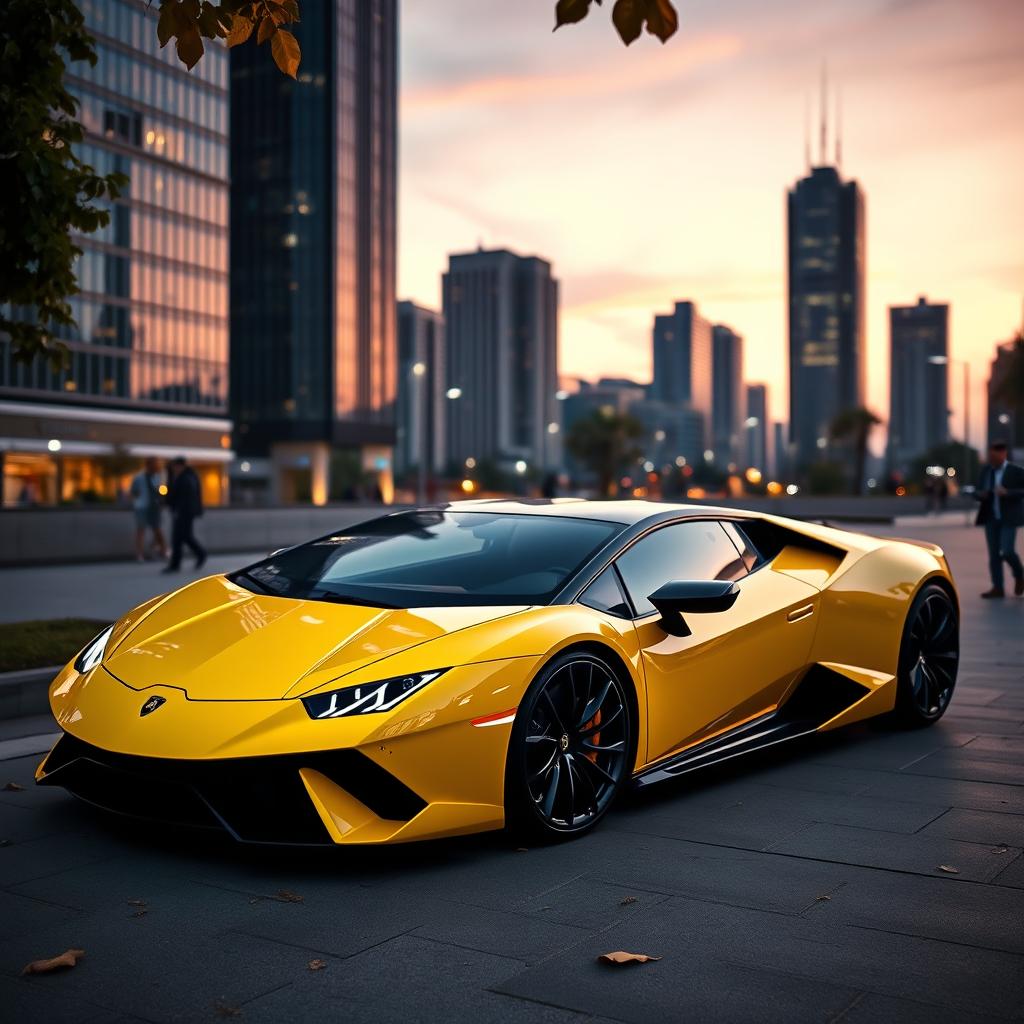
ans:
x=682 y=358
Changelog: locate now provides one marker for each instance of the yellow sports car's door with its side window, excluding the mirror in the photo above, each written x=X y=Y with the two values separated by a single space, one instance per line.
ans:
x=737 y=664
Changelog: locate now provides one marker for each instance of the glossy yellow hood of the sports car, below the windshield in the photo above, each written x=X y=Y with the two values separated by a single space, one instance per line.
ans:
x=219 y=642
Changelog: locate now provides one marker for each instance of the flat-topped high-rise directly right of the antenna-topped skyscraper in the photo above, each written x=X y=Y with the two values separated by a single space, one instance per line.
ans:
x=919 y=401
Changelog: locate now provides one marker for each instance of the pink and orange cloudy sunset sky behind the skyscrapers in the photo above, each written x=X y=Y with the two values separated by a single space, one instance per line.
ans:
x=658 y=174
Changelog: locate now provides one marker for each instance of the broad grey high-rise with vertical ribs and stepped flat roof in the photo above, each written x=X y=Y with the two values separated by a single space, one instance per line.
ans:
x=501 y=325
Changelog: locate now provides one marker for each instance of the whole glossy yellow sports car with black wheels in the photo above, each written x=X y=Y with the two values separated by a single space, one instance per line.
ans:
x=485 y=664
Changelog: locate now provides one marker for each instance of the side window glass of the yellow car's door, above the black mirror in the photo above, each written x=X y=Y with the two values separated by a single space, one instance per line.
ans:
x=684 y=551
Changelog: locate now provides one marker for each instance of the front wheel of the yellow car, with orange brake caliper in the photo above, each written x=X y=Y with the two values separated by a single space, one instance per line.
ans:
x=571 y=751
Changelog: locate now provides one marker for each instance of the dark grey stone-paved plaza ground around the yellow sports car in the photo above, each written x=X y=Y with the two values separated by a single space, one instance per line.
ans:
x=873 y=875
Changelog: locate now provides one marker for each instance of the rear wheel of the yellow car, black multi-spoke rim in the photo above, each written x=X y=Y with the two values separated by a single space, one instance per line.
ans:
x=929 y=657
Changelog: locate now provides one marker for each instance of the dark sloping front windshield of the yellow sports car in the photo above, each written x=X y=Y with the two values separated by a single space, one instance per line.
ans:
x=434 y=559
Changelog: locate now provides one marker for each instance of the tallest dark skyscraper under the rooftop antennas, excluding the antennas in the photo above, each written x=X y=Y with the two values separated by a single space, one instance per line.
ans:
x=826 y=241
